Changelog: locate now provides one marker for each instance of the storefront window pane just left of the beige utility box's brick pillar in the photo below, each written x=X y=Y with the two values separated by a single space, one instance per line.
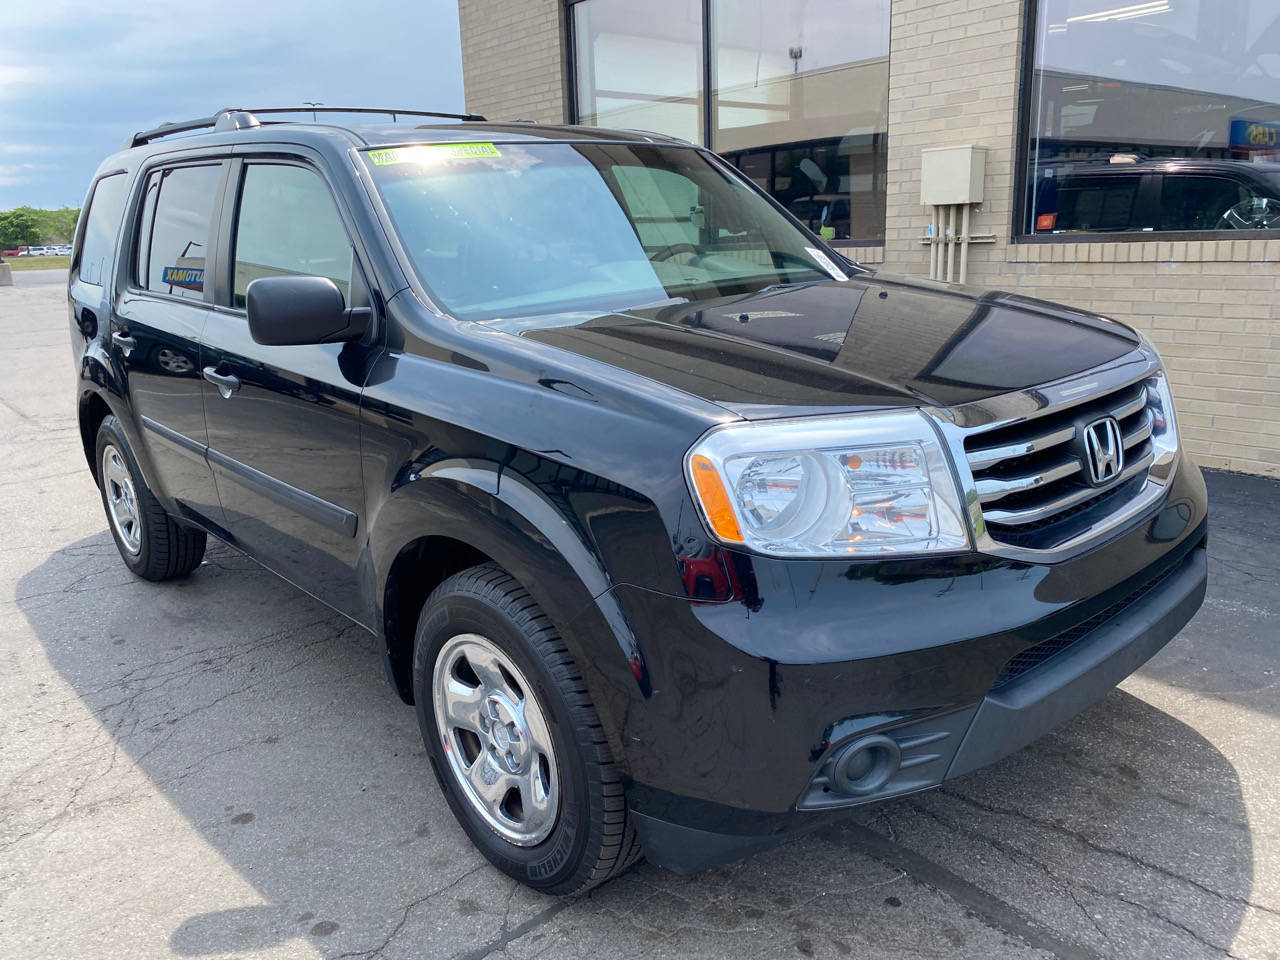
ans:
x=801 y=104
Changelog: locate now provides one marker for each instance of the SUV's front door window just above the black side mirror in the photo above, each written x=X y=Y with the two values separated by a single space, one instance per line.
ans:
x=289 y=226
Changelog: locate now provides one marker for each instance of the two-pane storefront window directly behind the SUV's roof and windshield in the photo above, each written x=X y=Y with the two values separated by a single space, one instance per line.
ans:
x=801 y=94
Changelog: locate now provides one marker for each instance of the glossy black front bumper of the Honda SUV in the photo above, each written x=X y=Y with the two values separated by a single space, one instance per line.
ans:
x=734 y=752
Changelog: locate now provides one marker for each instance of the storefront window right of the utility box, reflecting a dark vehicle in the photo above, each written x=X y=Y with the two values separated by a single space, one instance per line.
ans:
x=1154 y=117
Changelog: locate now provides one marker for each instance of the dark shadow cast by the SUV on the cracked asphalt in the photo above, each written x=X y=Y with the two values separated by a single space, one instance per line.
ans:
x=267 y=723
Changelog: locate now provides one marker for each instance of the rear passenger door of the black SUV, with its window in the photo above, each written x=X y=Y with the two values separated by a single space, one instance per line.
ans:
x=158 y=322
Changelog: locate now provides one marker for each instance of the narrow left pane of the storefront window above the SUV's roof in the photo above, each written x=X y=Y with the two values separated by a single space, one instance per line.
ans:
x=641 y=66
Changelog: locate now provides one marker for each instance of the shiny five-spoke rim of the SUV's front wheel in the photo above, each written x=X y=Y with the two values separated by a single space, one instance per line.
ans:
x=497 y=742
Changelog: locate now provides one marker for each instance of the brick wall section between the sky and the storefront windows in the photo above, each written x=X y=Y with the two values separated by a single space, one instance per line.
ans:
x=513 y=66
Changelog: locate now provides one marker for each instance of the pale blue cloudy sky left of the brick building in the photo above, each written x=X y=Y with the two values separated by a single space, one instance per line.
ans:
x=76 y=79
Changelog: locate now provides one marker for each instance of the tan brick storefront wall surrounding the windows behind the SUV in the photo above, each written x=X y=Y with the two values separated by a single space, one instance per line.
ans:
x=1213 y=309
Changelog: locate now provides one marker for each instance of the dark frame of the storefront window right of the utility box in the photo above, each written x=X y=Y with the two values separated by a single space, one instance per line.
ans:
x=1022 y=170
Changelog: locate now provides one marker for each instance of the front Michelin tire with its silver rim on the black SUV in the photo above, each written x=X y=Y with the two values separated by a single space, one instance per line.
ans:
x=514 y=738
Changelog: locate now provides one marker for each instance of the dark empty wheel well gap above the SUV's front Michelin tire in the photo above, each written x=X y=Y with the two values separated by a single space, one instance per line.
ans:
x=418 y=570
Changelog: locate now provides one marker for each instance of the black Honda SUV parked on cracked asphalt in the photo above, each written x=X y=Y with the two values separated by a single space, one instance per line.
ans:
x=682 y=532
